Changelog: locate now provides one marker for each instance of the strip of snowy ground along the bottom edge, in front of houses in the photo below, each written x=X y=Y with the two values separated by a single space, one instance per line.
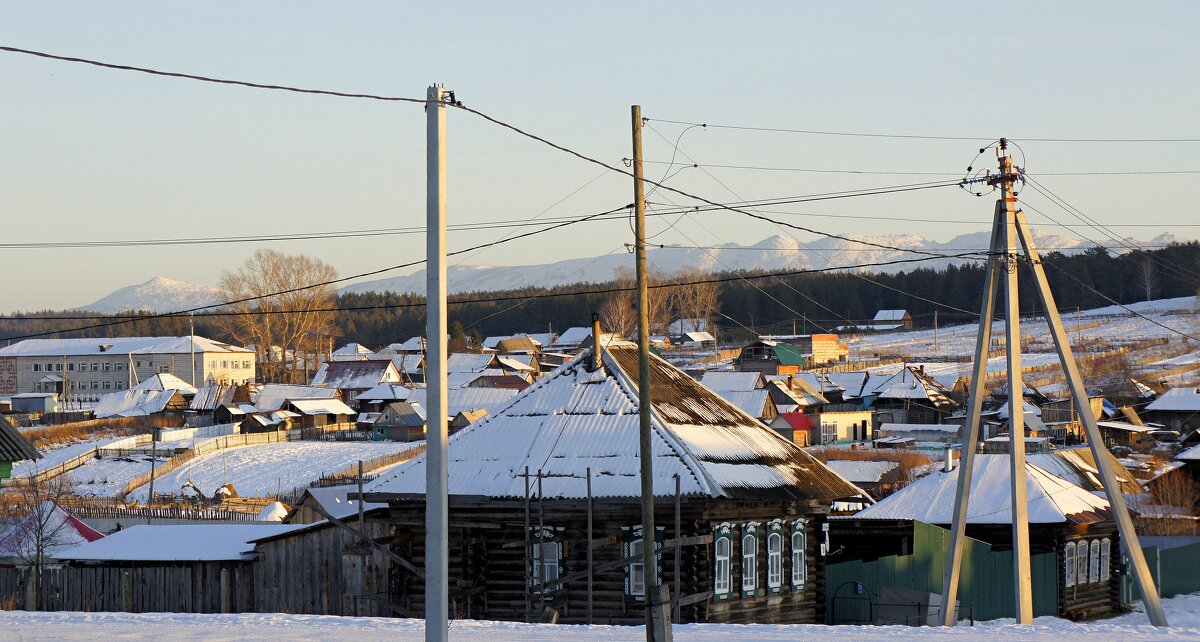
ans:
x=1184 y=613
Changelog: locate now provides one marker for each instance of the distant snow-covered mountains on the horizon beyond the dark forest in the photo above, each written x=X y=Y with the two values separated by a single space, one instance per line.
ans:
x=161 y=295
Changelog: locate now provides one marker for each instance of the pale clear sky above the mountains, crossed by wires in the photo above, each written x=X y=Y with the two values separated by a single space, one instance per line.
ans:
x=92 y=154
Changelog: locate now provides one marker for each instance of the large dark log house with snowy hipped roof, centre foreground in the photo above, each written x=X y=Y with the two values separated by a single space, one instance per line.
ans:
x=544 y=496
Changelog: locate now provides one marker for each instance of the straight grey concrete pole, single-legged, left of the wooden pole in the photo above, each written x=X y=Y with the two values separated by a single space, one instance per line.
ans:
x=437 y=502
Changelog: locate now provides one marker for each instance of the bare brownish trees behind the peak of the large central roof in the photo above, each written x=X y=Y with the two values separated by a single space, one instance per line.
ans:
x=677 y=296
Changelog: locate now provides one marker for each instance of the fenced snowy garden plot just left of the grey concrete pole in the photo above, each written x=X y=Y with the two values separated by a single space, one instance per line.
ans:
x=265 y=470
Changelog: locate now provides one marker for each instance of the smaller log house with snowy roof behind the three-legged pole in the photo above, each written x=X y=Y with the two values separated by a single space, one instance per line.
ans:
x=1066 y=520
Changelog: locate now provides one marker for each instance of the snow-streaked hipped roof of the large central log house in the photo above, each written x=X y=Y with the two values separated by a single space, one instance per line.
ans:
x=574 y=419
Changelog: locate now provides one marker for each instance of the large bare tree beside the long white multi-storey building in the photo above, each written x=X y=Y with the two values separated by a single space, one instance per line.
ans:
x=279 y=313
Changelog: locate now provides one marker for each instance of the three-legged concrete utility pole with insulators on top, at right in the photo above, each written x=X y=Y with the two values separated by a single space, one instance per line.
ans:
x=1009 y=229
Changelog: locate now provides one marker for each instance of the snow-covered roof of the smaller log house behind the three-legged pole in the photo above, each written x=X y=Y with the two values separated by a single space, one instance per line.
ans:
x=932 y=499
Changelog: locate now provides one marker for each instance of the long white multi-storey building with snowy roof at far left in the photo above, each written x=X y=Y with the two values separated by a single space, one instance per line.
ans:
x=87 y=369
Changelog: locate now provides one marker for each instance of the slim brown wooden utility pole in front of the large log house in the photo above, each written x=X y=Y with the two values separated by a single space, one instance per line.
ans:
x=658 y=601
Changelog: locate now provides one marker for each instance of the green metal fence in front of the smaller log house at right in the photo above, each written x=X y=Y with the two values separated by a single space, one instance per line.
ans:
x=986 y=585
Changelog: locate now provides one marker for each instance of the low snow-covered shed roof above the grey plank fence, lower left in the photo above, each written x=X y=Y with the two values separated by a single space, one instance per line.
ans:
x=177 y=543
